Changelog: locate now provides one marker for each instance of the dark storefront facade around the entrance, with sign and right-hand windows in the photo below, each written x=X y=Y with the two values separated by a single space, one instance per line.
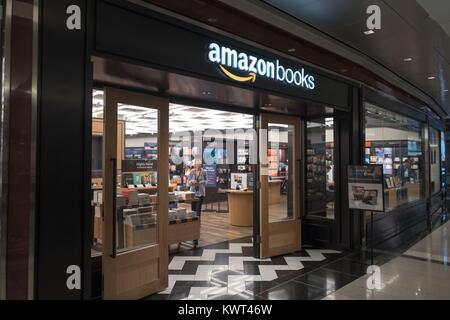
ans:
x=143 y=55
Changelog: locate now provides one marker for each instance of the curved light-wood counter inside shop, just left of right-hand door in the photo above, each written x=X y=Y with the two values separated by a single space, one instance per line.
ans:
x=240 y=207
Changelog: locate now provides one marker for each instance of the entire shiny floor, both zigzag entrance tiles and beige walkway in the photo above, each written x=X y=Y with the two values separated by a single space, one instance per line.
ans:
x=228 y=271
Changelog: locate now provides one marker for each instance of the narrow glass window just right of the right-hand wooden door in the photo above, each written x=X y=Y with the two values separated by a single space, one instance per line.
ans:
x=320 y=168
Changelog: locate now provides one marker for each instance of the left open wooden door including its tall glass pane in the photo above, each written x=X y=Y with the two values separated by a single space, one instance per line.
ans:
x=135 y=195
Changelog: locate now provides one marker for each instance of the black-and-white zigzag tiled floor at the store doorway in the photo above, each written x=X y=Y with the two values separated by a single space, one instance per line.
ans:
x=229 y=271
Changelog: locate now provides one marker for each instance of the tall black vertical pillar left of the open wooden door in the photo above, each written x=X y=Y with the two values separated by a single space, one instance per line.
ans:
x=63 y=180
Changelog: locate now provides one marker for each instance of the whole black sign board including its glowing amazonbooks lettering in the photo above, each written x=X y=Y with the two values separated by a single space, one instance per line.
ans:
x=180 y=49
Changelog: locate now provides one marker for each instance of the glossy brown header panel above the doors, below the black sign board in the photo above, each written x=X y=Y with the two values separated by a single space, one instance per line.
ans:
x=186 y=89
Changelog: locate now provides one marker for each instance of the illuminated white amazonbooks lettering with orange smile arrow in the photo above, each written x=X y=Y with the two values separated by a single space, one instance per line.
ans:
x=250 y=67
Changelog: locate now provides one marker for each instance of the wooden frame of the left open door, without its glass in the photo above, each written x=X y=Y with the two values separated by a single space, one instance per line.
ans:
x=112 y=260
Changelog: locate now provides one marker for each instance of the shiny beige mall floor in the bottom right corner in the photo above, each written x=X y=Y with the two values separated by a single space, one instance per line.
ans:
x=421 y=272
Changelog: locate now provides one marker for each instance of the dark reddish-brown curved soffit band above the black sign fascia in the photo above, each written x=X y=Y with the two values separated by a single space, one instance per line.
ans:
x=268 y=35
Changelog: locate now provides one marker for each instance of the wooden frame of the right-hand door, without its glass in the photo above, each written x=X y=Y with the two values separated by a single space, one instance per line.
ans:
x=266 y=228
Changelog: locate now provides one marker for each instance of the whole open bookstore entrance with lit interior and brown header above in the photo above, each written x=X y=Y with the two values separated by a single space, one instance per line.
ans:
x=230 y=199
